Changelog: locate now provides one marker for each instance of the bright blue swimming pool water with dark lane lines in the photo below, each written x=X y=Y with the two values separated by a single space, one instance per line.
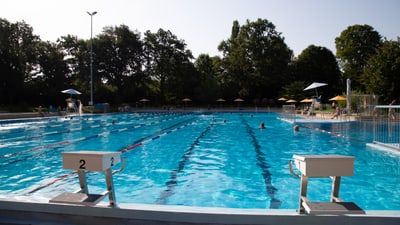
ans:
x=196 y=159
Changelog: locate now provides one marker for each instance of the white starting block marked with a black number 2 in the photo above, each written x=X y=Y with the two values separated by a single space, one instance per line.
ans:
x=84 y=161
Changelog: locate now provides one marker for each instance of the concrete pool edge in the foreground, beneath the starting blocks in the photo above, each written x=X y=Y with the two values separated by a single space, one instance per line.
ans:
x=35 y=213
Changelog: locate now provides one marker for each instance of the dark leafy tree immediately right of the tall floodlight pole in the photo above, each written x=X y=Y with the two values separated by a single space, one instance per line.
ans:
x=118 y=60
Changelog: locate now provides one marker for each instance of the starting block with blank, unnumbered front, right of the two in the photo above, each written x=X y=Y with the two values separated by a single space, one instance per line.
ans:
x=333 y=166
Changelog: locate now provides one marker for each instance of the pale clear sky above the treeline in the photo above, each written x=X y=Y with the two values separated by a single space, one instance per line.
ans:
x=203 y=24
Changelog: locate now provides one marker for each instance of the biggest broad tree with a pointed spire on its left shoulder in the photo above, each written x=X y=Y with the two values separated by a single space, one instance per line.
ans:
x=255 y=59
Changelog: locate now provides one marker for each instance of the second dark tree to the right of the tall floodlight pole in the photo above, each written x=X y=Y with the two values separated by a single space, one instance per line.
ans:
x=168 y=64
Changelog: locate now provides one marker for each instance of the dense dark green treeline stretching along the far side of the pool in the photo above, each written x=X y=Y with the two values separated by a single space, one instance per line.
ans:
x=256 y=64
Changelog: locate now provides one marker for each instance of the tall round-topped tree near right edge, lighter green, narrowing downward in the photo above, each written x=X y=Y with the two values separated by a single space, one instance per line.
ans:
x=354 y=47
